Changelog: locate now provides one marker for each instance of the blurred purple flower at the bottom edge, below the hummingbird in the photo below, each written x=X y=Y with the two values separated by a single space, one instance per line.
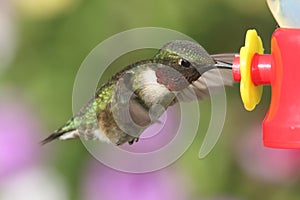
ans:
x=104 y=183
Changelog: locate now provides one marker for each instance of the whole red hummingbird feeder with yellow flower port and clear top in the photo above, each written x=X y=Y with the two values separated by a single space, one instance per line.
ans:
x=280 y=69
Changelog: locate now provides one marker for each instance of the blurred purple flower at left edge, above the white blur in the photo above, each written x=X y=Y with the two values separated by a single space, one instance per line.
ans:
x=18 y=131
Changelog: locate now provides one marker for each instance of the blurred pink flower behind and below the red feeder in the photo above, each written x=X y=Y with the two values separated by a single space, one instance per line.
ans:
x=266 y=164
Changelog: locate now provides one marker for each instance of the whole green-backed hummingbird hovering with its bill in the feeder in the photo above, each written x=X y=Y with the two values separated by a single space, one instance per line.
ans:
x=135 y=97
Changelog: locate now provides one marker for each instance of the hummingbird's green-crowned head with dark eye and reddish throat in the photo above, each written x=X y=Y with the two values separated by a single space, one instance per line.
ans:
x=182 y=62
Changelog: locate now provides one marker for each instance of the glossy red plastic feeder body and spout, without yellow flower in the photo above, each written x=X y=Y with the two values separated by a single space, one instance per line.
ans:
x=281 y=69
